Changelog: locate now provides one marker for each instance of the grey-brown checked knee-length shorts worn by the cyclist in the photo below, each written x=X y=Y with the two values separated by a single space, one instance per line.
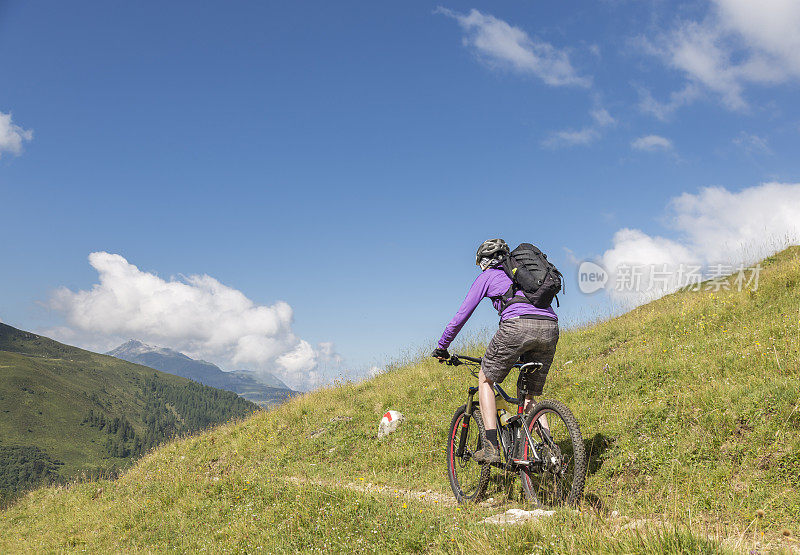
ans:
x=527 y=338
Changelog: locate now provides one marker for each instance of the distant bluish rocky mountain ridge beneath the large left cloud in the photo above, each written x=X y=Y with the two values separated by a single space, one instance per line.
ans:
x=262 y=388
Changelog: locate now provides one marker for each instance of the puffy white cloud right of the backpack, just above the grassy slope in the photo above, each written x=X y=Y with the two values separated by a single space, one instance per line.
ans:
x=715 y=226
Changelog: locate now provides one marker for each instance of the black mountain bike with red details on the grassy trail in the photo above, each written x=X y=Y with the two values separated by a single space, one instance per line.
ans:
x=543 y=445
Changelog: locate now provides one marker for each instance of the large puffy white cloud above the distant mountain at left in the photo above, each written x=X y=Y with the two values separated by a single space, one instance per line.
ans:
x=196 y=315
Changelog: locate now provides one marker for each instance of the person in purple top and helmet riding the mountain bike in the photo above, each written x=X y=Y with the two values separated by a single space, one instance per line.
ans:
x=525 y=332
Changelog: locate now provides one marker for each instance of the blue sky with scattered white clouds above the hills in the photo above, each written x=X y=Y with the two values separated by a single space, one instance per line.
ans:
x=347 y=159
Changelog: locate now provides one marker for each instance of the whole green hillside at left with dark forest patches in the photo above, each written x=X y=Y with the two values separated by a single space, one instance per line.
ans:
x=66 y=412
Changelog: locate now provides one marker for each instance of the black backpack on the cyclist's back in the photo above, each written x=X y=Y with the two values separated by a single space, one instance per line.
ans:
x=533 y=274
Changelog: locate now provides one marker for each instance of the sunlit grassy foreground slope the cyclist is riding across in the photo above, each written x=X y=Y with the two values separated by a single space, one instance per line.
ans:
x=689 y=405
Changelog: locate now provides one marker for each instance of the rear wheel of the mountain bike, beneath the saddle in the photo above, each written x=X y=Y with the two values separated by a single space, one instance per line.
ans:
x=559 y=477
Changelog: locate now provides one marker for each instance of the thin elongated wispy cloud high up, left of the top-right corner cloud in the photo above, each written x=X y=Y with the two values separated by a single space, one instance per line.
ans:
x=503 y=45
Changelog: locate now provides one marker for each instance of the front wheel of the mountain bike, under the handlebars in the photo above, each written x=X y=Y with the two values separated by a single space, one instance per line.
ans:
x=468 y=479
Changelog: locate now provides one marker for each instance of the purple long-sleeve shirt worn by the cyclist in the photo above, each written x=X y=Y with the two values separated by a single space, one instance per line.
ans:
x=490 y=283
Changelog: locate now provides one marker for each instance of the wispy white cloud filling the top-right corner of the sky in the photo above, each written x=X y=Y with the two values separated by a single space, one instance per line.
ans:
x=740 y=42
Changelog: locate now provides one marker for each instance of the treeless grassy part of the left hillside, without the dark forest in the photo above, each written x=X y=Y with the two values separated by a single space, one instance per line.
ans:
x=47 y=388
